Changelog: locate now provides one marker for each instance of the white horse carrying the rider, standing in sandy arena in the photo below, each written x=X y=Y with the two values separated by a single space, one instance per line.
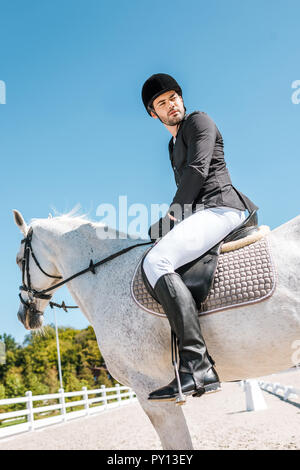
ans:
x=249 y=341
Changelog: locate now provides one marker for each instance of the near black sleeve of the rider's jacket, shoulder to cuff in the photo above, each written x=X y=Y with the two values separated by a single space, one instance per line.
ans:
x=200 y=137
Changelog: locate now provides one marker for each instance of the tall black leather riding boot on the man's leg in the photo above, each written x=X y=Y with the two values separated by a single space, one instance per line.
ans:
x=196 y=371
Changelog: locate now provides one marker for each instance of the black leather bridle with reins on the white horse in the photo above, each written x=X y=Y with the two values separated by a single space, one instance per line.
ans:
x=43 y=294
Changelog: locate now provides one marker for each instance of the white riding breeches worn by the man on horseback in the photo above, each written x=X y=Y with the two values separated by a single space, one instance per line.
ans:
x=189 y=239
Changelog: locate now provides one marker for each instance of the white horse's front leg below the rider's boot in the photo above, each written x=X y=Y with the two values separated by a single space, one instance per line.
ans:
x=169 y=422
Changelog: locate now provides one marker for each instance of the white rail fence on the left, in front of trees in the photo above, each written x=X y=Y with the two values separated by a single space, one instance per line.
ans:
x=109 y=398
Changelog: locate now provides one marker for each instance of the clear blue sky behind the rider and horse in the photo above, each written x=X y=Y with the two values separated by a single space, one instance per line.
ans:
x=74 y=130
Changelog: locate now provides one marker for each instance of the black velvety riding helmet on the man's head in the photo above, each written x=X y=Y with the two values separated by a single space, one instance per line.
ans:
x=156 y=85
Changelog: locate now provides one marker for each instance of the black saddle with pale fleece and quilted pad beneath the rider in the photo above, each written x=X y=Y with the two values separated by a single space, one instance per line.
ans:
x=242 y=256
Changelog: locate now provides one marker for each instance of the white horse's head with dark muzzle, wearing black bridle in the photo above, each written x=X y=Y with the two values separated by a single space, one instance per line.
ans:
x=38 y=274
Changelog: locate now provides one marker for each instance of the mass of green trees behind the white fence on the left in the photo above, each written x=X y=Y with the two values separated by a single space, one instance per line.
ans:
x=33 y=366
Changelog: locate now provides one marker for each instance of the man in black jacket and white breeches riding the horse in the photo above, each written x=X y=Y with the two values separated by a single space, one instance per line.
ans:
x=204 y=210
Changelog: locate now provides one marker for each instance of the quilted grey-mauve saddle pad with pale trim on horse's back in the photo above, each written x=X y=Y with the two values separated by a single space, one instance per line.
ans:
x=243 y=276
